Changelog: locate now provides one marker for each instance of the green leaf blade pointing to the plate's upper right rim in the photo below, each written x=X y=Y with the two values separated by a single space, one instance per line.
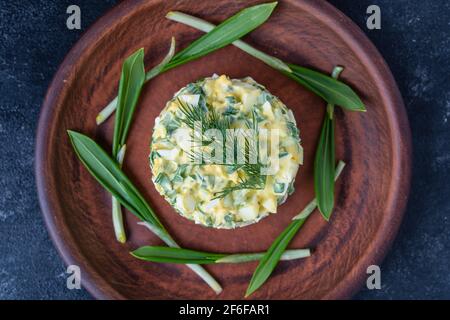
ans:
x=330 y=89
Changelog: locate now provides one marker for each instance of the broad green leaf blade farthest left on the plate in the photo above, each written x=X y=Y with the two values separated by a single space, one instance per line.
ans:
x=107 y=172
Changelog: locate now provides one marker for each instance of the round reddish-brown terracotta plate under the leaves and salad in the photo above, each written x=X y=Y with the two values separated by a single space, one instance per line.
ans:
x=371 y=194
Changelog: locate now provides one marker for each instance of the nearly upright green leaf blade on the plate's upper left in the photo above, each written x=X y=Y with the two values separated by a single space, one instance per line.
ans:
x=131 y=81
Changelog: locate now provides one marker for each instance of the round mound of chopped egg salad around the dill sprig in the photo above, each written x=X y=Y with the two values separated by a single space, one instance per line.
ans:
x=191 y=188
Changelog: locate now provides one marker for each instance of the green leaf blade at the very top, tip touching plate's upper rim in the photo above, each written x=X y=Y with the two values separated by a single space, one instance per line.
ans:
x=225 y=33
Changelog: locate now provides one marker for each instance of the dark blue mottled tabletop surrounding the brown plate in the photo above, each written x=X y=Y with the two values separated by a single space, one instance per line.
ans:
x=415 y=42
